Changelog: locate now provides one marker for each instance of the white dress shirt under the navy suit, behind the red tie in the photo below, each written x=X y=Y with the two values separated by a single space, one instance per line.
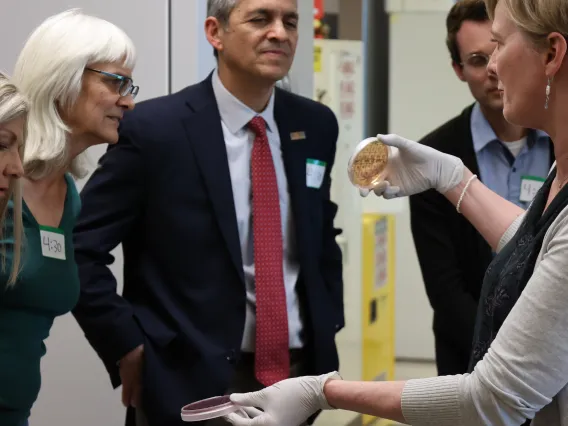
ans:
x=239 y=140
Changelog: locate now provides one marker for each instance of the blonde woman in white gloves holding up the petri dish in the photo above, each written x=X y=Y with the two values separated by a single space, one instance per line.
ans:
x=519 y=365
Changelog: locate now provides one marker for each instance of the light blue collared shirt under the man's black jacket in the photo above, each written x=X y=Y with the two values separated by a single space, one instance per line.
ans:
x=498 y=169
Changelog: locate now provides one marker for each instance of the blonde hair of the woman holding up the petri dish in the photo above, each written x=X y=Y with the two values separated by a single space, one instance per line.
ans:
x=536 y=18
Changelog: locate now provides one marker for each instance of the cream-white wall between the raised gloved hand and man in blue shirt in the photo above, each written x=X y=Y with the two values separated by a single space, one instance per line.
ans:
x=424 y=93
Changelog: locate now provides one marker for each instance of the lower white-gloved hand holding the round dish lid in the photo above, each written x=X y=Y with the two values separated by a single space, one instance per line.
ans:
x=289 y=402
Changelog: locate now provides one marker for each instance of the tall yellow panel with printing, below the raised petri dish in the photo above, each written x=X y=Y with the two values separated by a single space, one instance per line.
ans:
x=378 y=301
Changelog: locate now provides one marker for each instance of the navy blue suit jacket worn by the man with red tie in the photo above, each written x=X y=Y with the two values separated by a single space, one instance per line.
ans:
x=164 y=192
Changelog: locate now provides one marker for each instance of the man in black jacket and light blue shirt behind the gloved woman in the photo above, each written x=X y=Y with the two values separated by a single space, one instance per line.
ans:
x=511 y=161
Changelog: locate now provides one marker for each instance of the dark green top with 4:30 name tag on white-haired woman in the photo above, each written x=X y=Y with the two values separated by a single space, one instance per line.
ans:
x=47 y=286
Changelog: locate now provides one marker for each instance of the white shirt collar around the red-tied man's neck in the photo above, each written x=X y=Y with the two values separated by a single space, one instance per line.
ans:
x=236 y=114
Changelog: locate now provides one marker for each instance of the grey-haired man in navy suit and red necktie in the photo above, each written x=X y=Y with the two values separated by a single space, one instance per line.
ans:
x=220 y=196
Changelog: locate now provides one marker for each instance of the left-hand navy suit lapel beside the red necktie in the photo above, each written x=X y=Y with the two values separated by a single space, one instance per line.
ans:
x=206 y=136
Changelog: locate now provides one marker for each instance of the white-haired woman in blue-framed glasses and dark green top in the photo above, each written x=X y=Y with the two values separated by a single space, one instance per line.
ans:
x=76 y=71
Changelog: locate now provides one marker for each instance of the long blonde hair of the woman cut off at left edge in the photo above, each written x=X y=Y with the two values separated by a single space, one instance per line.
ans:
x=12 y=105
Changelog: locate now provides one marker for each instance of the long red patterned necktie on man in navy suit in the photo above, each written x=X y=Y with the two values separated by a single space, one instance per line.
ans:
x=272 y=357
